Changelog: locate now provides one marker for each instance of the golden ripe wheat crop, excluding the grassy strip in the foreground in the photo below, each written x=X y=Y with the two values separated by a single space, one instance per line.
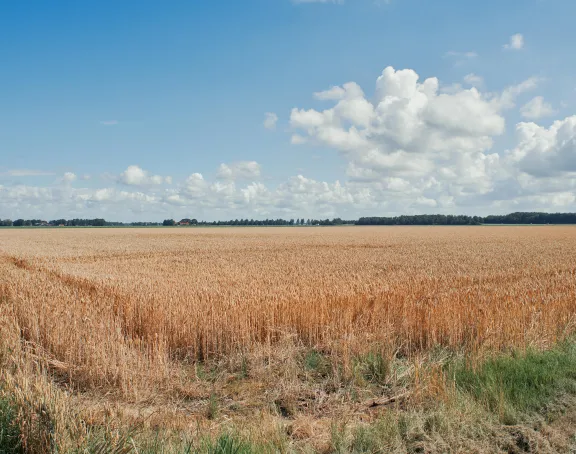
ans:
x=130 y=314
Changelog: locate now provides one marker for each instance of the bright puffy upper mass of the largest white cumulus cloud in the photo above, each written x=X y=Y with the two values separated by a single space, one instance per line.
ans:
x=407 y=117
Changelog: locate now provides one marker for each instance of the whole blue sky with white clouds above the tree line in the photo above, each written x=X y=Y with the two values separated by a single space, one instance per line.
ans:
x=147 y=110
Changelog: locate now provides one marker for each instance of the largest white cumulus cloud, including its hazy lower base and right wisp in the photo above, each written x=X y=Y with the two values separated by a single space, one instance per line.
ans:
x=416 y=140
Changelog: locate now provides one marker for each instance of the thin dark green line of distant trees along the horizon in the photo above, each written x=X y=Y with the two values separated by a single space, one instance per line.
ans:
x=421 y=219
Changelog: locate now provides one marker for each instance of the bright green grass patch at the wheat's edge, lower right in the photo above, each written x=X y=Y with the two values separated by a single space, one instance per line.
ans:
x=519 y=383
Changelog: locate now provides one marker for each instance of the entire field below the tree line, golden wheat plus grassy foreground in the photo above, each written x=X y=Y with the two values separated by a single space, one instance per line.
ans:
x=350 y=339
